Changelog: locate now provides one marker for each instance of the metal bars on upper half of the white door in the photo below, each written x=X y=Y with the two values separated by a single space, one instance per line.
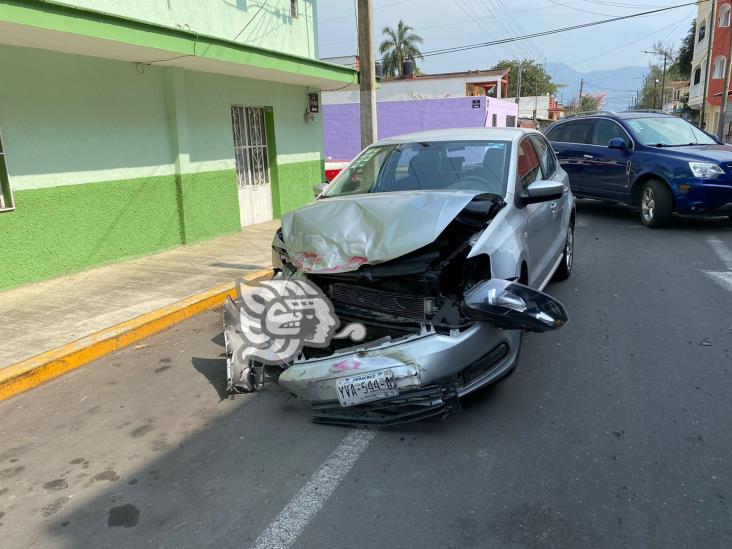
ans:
x=250 y=146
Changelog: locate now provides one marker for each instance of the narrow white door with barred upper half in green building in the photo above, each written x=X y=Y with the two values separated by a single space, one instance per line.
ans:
x=252 y=165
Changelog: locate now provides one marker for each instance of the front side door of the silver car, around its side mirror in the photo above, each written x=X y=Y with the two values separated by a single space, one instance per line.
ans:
x=538 y=234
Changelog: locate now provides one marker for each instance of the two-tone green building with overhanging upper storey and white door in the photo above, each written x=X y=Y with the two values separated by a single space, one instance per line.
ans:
x=139 y=125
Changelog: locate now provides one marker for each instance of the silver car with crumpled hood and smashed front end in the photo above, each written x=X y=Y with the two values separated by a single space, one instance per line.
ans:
x=439 y=244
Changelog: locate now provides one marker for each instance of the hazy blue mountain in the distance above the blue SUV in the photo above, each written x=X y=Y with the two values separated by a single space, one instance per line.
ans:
x=619 y=84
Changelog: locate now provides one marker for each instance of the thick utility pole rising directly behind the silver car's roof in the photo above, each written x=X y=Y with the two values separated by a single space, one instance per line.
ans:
x=367 y=72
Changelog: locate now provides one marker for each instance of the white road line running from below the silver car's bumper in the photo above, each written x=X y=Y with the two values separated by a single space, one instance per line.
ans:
x=303 y=507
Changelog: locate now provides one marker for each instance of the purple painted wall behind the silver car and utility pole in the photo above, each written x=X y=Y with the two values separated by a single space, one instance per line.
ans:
x=341 y=133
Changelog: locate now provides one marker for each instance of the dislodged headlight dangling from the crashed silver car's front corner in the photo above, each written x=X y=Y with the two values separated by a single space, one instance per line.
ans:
x=513 y=306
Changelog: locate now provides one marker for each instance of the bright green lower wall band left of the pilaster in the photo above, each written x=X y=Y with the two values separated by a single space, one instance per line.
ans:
x=65 y=229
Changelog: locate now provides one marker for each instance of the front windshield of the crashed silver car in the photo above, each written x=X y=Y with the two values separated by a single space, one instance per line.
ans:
x=435 y=165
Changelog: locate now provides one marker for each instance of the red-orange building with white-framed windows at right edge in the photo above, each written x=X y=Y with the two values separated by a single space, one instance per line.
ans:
x=719 y=58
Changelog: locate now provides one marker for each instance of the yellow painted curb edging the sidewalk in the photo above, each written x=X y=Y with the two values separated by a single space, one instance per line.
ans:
x=49 y=365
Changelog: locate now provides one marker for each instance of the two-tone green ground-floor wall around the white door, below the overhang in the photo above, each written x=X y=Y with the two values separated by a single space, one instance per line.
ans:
x=93 y=152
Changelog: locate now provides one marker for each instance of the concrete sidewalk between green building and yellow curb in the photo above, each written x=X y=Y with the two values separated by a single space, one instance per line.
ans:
x=46 y=315
